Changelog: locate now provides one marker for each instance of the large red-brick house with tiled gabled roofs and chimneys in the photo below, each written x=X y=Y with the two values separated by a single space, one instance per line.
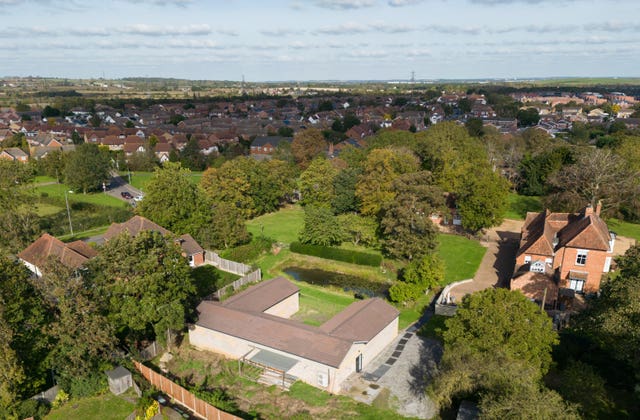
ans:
x=562 y=251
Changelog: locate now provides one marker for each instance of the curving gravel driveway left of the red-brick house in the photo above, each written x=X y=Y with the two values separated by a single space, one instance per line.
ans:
x=496 y=267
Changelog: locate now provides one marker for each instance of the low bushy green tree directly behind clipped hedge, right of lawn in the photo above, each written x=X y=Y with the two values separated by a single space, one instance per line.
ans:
x=321 y=227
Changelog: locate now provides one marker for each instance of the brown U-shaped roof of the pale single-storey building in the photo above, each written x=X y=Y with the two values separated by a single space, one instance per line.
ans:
x=242 y=316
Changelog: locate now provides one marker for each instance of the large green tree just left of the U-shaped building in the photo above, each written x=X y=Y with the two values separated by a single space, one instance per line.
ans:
x=145 y=283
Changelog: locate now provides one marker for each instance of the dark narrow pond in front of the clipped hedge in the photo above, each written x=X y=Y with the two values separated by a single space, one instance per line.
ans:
x=361 y=288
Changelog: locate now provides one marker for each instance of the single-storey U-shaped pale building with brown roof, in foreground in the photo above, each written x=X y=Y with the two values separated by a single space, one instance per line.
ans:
x=254 y=327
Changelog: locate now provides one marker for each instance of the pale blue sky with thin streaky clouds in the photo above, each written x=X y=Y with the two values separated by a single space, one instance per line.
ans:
x=273 y=40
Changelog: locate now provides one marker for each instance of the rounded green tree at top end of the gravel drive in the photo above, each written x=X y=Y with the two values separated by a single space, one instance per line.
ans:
x=482 y=200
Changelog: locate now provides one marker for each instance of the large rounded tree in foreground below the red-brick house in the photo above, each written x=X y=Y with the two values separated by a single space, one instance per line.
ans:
x=497 y=348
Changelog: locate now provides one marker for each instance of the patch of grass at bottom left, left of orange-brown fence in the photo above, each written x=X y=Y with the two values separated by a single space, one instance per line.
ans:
x=105 y=407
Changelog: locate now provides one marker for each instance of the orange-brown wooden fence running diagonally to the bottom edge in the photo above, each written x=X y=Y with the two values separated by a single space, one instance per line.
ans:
x=184 y=397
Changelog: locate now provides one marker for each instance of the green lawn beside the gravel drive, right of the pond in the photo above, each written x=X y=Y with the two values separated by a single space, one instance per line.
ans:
x=461 y=257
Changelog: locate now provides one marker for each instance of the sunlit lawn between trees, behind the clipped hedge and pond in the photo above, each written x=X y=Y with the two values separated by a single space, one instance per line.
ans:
x=282 y=226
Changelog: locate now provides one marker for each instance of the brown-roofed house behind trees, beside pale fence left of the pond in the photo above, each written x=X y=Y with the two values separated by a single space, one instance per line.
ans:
x=190 y=248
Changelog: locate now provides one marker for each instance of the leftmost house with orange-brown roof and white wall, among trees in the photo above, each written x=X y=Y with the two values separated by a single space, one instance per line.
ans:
x=72 y=255
